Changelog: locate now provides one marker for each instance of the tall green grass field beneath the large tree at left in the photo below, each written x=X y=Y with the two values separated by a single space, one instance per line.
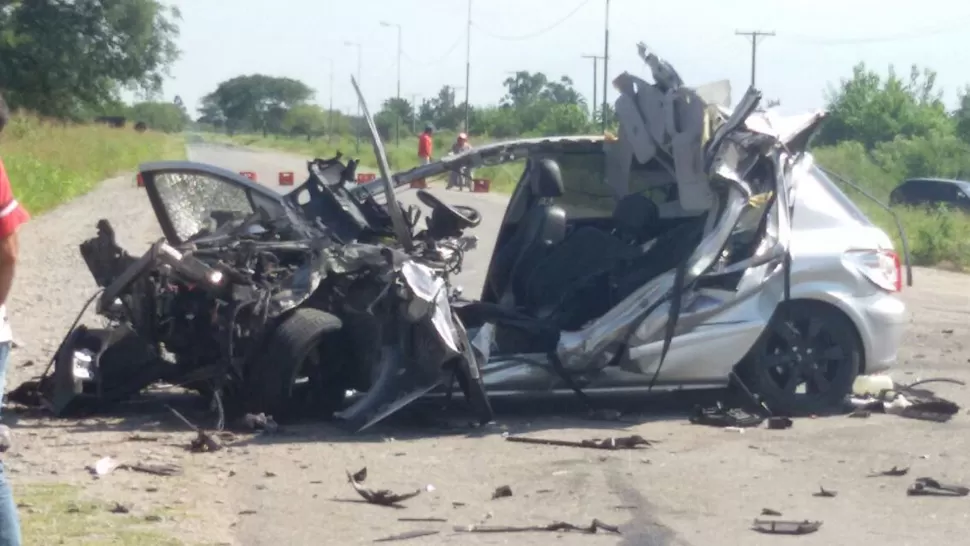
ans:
x=50 y=163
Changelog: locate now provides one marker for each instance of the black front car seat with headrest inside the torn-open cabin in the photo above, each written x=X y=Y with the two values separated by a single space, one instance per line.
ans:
x=542 y=227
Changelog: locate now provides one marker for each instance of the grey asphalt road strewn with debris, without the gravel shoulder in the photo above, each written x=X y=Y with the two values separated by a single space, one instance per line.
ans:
x=700 y=486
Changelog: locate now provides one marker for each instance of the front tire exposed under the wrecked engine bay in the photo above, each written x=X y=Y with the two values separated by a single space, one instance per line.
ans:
x=292 y=346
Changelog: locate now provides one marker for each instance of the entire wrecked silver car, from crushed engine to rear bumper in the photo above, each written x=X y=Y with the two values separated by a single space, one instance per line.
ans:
x=699 y=247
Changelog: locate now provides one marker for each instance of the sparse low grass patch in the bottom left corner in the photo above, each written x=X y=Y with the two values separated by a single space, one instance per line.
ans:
x=53 y=514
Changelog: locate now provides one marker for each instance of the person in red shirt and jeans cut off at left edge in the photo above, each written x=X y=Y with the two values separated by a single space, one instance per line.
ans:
x=12 y=216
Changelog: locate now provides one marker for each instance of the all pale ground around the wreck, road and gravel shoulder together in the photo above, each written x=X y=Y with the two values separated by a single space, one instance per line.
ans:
x=697 y=486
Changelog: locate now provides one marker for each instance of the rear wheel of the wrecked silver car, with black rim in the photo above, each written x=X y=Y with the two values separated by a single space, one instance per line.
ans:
x=807 y=344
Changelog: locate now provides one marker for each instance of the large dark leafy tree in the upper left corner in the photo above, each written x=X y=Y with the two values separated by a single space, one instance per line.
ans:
x=69 y=58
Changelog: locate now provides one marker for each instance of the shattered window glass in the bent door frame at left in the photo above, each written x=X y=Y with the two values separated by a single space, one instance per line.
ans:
x=195 y=202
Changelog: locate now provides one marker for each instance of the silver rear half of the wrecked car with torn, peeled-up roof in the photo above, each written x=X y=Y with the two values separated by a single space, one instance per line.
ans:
x=701 y=247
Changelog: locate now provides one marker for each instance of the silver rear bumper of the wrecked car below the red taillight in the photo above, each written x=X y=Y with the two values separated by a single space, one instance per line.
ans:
x=882 y=319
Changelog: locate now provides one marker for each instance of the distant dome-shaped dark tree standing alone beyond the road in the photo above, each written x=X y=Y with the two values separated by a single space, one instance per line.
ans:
x=256 y=102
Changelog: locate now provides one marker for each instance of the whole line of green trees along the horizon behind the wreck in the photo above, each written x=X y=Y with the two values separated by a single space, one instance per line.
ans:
x=72 y=59
